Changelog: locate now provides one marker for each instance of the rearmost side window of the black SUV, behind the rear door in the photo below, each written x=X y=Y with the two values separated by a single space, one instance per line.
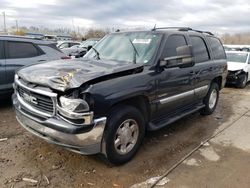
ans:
x=217 y=48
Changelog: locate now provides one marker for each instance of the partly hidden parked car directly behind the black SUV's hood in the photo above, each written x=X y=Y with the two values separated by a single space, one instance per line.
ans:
x=80 y=50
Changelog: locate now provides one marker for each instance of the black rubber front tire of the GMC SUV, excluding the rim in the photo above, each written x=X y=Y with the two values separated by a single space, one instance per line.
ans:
x=116 y=118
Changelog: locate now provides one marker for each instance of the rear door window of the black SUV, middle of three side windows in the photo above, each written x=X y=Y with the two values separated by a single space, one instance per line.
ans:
x=200 y=51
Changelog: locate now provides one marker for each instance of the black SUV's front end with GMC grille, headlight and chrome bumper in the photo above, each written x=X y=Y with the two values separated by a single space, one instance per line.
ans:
x=62 y=119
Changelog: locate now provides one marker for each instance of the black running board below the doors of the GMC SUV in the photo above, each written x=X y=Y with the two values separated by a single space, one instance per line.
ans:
x=158 y=124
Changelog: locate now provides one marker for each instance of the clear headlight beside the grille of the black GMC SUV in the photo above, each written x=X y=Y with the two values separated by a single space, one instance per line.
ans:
x=74 y=105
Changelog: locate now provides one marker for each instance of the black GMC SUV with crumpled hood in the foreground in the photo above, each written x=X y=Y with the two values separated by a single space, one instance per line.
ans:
x=129 y=83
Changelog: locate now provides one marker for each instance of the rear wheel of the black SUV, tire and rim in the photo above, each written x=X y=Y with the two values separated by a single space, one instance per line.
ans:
x=211 y=99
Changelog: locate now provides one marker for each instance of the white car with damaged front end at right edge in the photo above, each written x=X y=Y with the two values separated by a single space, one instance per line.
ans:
x=238 y=68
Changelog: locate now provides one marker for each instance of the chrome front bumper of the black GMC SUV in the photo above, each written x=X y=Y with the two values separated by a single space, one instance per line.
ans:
x=82 y=142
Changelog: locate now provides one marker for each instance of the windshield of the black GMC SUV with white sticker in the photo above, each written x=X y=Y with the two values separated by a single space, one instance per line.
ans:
x=136 y=47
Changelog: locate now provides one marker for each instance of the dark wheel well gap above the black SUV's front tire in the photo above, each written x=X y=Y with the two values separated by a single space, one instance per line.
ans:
x=139 y=102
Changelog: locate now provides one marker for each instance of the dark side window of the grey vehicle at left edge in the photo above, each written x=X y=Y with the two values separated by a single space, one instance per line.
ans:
x=22 y=50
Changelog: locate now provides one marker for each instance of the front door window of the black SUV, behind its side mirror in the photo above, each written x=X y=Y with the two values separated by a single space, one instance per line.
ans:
x=173 y=42
